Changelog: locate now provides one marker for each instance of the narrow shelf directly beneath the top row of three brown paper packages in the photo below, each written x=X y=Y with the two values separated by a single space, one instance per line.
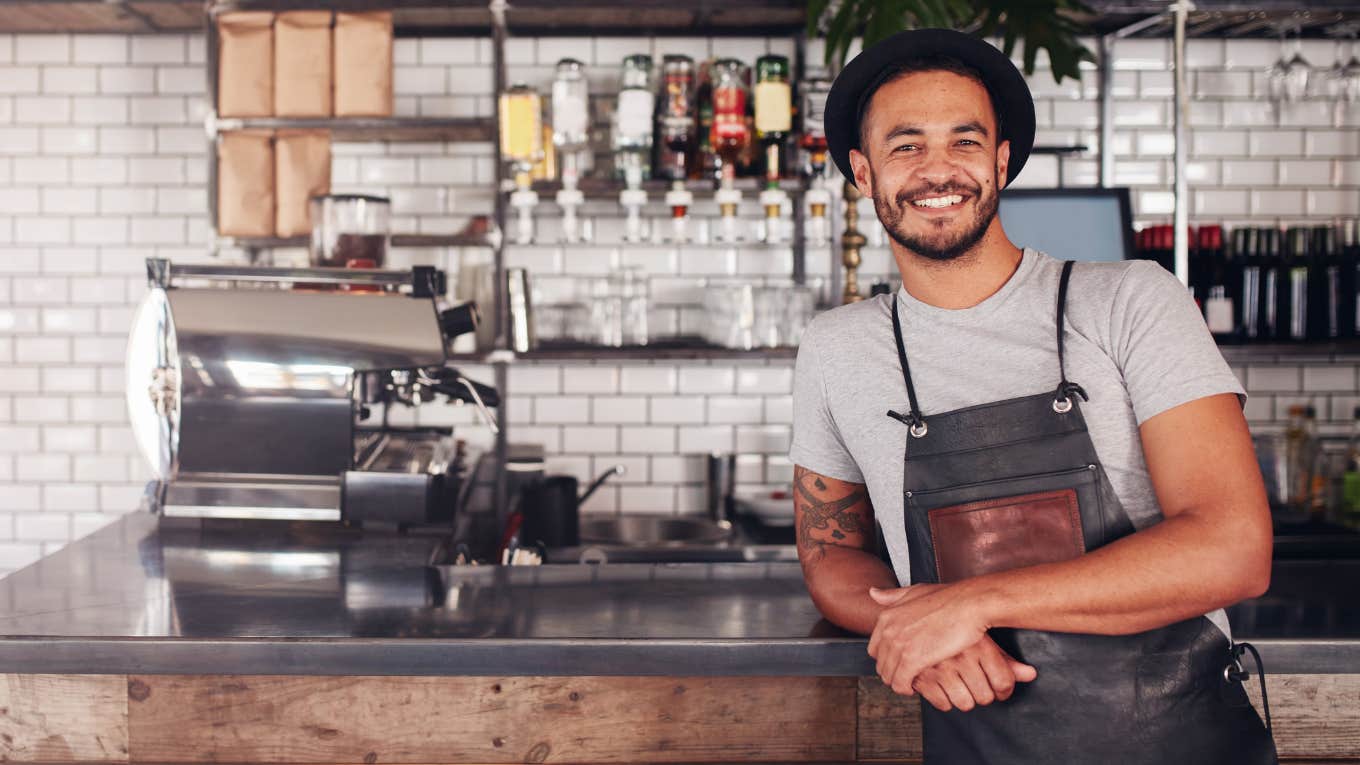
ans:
x=369 y=129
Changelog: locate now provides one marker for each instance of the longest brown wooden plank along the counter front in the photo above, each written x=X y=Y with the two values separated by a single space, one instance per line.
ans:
x=599 y=719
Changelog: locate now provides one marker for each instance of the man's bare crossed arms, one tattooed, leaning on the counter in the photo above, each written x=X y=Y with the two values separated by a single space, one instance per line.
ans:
x=1214 y=549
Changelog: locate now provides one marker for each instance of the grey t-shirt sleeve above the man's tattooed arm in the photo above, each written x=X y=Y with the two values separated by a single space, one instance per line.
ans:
x=817 y=440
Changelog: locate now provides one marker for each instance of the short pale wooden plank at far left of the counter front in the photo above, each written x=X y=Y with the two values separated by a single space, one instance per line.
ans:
x=63 y=719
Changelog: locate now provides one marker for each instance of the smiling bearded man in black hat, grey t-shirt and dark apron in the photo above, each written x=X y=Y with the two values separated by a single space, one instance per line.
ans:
x=1056 y=455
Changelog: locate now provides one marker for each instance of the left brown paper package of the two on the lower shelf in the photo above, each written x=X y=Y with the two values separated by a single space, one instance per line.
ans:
x=245 y=184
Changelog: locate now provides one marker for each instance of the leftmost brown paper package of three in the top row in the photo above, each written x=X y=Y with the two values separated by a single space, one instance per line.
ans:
x=245 y=70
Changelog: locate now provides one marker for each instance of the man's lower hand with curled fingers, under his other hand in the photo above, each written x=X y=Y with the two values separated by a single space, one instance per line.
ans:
x=981 y=676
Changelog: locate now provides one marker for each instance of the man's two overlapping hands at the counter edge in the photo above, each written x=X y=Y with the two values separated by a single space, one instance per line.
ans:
x=932 y=627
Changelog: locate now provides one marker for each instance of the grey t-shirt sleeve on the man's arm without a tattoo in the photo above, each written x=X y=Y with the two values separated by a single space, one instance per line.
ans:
x=1162 y=345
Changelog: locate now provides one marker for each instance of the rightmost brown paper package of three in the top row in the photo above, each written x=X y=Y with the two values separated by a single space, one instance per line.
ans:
x=364 y=65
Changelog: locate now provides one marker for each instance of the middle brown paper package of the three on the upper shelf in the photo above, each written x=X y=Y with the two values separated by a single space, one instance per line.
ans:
x=303 y=65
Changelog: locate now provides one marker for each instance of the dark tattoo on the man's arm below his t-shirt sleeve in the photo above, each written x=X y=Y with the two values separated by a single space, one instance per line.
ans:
x=829 y=517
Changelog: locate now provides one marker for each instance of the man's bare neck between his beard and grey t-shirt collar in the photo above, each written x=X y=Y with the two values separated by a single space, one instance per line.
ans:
x=965 y=281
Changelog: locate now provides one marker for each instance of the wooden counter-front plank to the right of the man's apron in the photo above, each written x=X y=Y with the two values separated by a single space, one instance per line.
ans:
x=1314 y=715
